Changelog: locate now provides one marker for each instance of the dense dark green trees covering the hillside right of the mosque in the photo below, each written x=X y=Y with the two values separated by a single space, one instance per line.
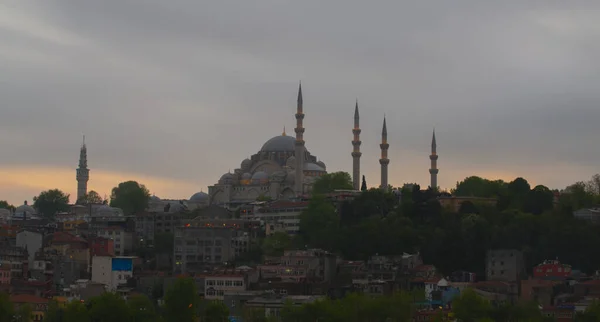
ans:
x=524 y=218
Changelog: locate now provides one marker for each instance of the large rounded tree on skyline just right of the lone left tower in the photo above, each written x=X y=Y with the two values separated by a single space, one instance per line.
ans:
x=130 y=196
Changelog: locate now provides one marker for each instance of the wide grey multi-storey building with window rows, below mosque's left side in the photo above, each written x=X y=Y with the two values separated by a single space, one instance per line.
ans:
x=212 y=241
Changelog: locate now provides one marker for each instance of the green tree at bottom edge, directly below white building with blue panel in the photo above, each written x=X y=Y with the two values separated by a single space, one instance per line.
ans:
x=109 y=307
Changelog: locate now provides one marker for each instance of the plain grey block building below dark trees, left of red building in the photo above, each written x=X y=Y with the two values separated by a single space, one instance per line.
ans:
x=504 y=265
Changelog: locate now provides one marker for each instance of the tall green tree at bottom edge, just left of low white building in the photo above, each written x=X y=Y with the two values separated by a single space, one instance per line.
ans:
x=181 y=301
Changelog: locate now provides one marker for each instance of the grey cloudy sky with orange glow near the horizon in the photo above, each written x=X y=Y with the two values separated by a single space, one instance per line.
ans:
x=175 y=93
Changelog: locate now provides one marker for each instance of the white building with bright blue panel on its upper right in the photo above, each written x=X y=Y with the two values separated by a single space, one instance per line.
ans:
x=112 y=271
